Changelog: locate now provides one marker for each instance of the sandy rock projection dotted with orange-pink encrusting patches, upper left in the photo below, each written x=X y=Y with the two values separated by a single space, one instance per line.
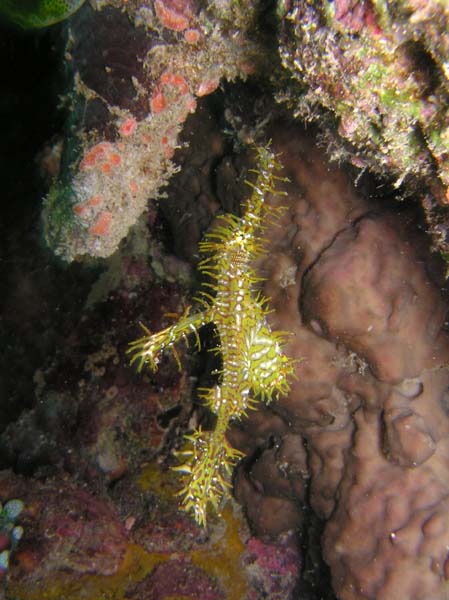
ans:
x=129 y=104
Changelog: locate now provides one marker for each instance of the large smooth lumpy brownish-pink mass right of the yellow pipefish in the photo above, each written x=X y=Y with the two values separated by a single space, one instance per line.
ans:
x=354 y=286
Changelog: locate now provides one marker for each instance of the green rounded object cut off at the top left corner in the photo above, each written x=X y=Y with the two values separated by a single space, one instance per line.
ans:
x=34 y=14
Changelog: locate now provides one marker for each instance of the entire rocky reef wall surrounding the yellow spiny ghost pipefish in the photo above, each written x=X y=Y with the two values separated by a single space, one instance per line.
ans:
x=346 y=477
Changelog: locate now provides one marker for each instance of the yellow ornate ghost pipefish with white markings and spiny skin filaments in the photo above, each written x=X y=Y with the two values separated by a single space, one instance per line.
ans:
x=254 y=367
